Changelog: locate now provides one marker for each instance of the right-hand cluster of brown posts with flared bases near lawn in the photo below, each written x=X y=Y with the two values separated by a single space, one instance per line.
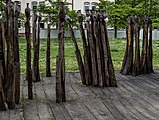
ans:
x=134 y=63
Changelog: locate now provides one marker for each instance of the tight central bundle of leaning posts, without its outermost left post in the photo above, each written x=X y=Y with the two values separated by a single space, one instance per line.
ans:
x=98 y=63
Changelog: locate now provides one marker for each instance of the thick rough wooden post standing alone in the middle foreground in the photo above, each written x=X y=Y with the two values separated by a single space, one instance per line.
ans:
x=60 y=60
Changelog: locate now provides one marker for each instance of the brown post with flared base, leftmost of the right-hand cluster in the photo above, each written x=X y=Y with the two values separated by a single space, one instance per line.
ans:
x=127 y=65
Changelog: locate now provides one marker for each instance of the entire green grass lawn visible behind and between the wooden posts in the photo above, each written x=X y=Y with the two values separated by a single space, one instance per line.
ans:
x=117 y=50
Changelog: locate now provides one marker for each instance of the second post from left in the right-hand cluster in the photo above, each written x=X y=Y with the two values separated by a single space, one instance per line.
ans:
x=136 y=66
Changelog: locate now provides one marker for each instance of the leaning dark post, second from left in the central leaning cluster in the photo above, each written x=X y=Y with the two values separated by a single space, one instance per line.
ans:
x=87 y=64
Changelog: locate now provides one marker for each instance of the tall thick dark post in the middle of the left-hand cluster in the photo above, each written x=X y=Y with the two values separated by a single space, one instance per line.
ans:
x=10 y=57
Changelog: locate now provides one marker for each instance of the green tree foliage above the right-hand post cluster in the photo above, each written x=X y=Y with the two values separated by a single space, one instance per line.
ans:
x=119 y=10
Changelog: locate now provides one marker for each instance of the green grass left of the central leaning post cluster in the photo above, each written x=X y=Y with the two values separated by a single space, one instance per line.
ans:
x=70 y=59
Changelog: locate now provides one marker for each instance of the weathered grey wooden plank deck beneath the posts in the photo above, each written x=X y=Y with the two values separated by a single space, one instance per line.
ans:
x=135 y=98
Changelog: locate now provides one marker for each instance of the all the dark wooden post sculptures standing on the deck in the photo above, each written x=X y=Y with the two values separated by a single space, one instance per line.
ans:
x=95 y=66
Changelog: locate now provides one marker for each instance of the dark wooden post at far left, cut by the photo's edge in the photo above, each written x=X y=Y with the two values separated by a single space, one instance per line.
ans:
x=2 y=69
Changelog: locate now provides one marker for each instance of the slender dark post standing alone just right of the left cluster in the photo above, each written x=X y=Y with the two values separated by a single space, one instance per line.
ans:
x=28 y=54
